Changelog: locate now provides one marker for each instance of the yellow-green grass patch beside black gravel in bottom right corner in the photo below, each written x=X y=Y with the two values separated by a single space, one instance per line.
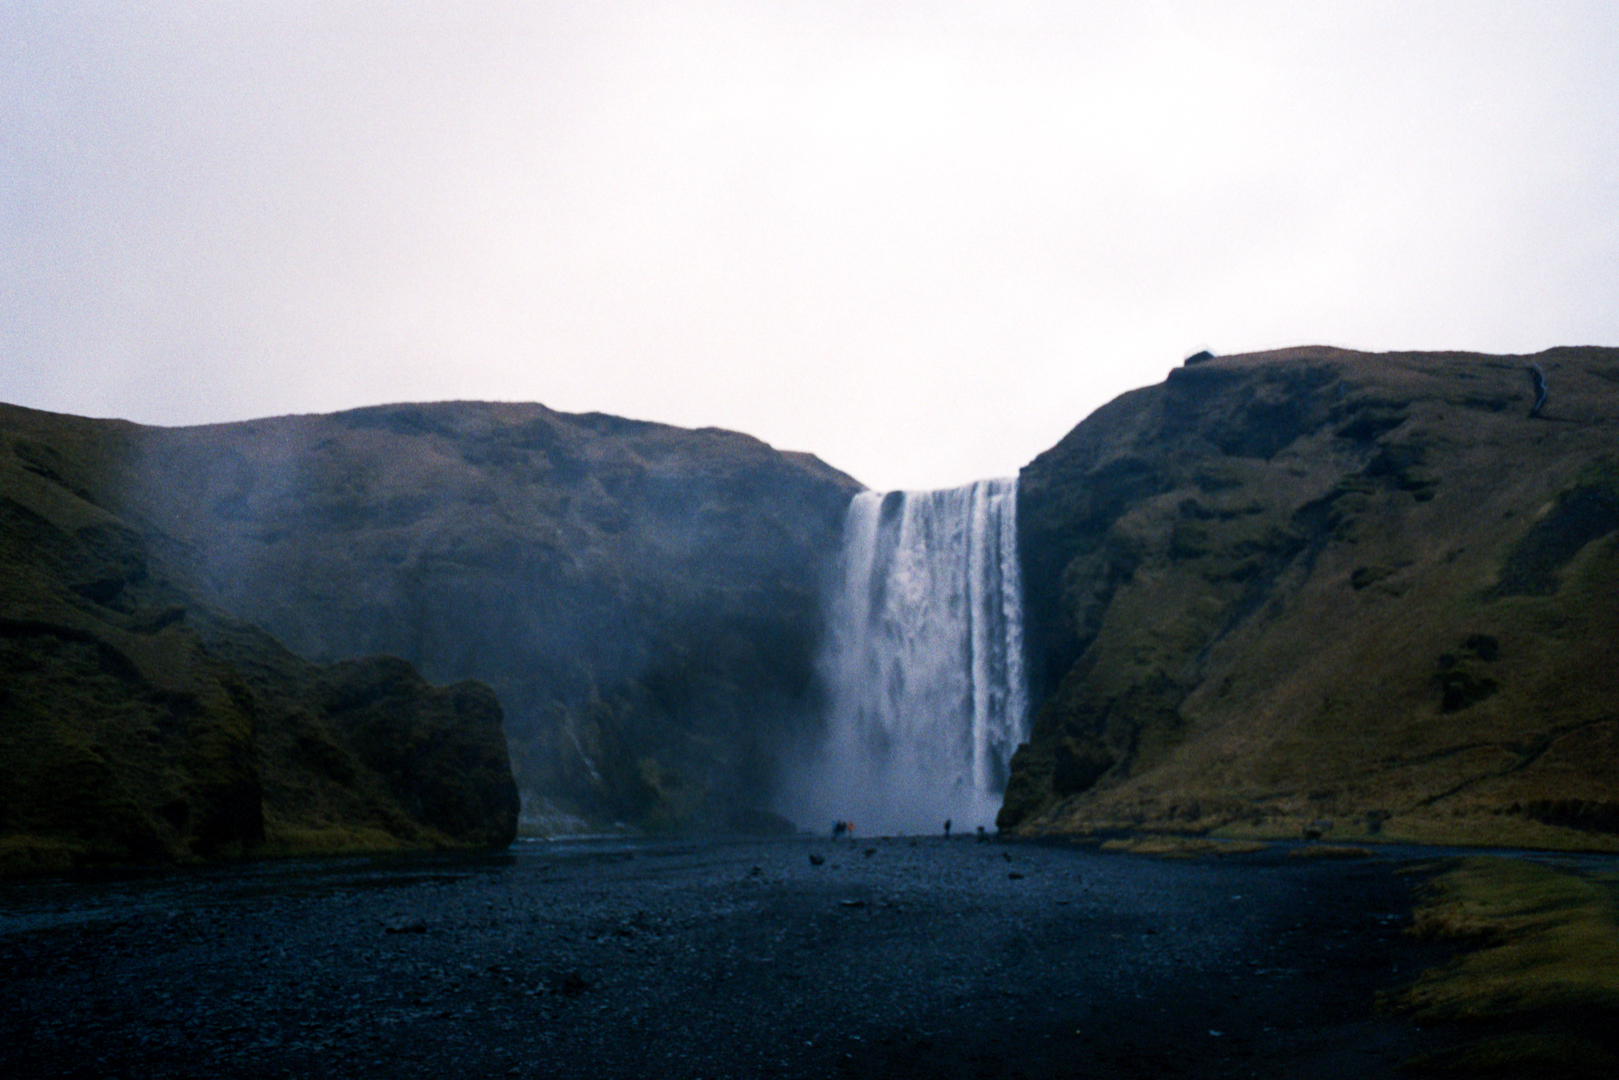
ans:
x=1542 y=976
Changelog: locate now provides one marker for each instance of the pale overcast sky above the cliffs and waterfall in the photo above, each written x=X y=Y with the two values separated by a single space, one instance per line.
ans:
x=920 y=240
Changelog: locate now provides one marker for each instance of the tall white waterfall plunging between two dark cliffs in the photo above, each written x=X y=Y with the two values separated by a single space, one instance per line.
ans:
x=924 y=666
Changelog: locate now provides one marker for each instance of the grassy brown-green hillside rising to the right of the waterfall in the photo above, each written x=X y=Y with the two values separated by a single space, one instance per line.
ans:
x=1332 y=592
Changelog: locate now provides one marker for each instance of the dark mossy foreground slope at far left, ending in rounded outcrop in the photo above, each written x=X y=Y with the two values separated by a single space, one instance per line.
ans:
x=137 y=723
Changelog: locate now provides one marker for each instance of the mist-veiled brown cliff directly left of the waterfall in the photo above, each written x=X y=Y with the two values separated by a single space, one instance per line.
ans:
x=644 y=600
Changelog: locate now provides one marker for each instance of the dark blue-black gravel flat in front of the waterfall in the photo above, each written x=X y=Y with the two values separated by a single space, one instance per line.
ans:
x=718 y=959
